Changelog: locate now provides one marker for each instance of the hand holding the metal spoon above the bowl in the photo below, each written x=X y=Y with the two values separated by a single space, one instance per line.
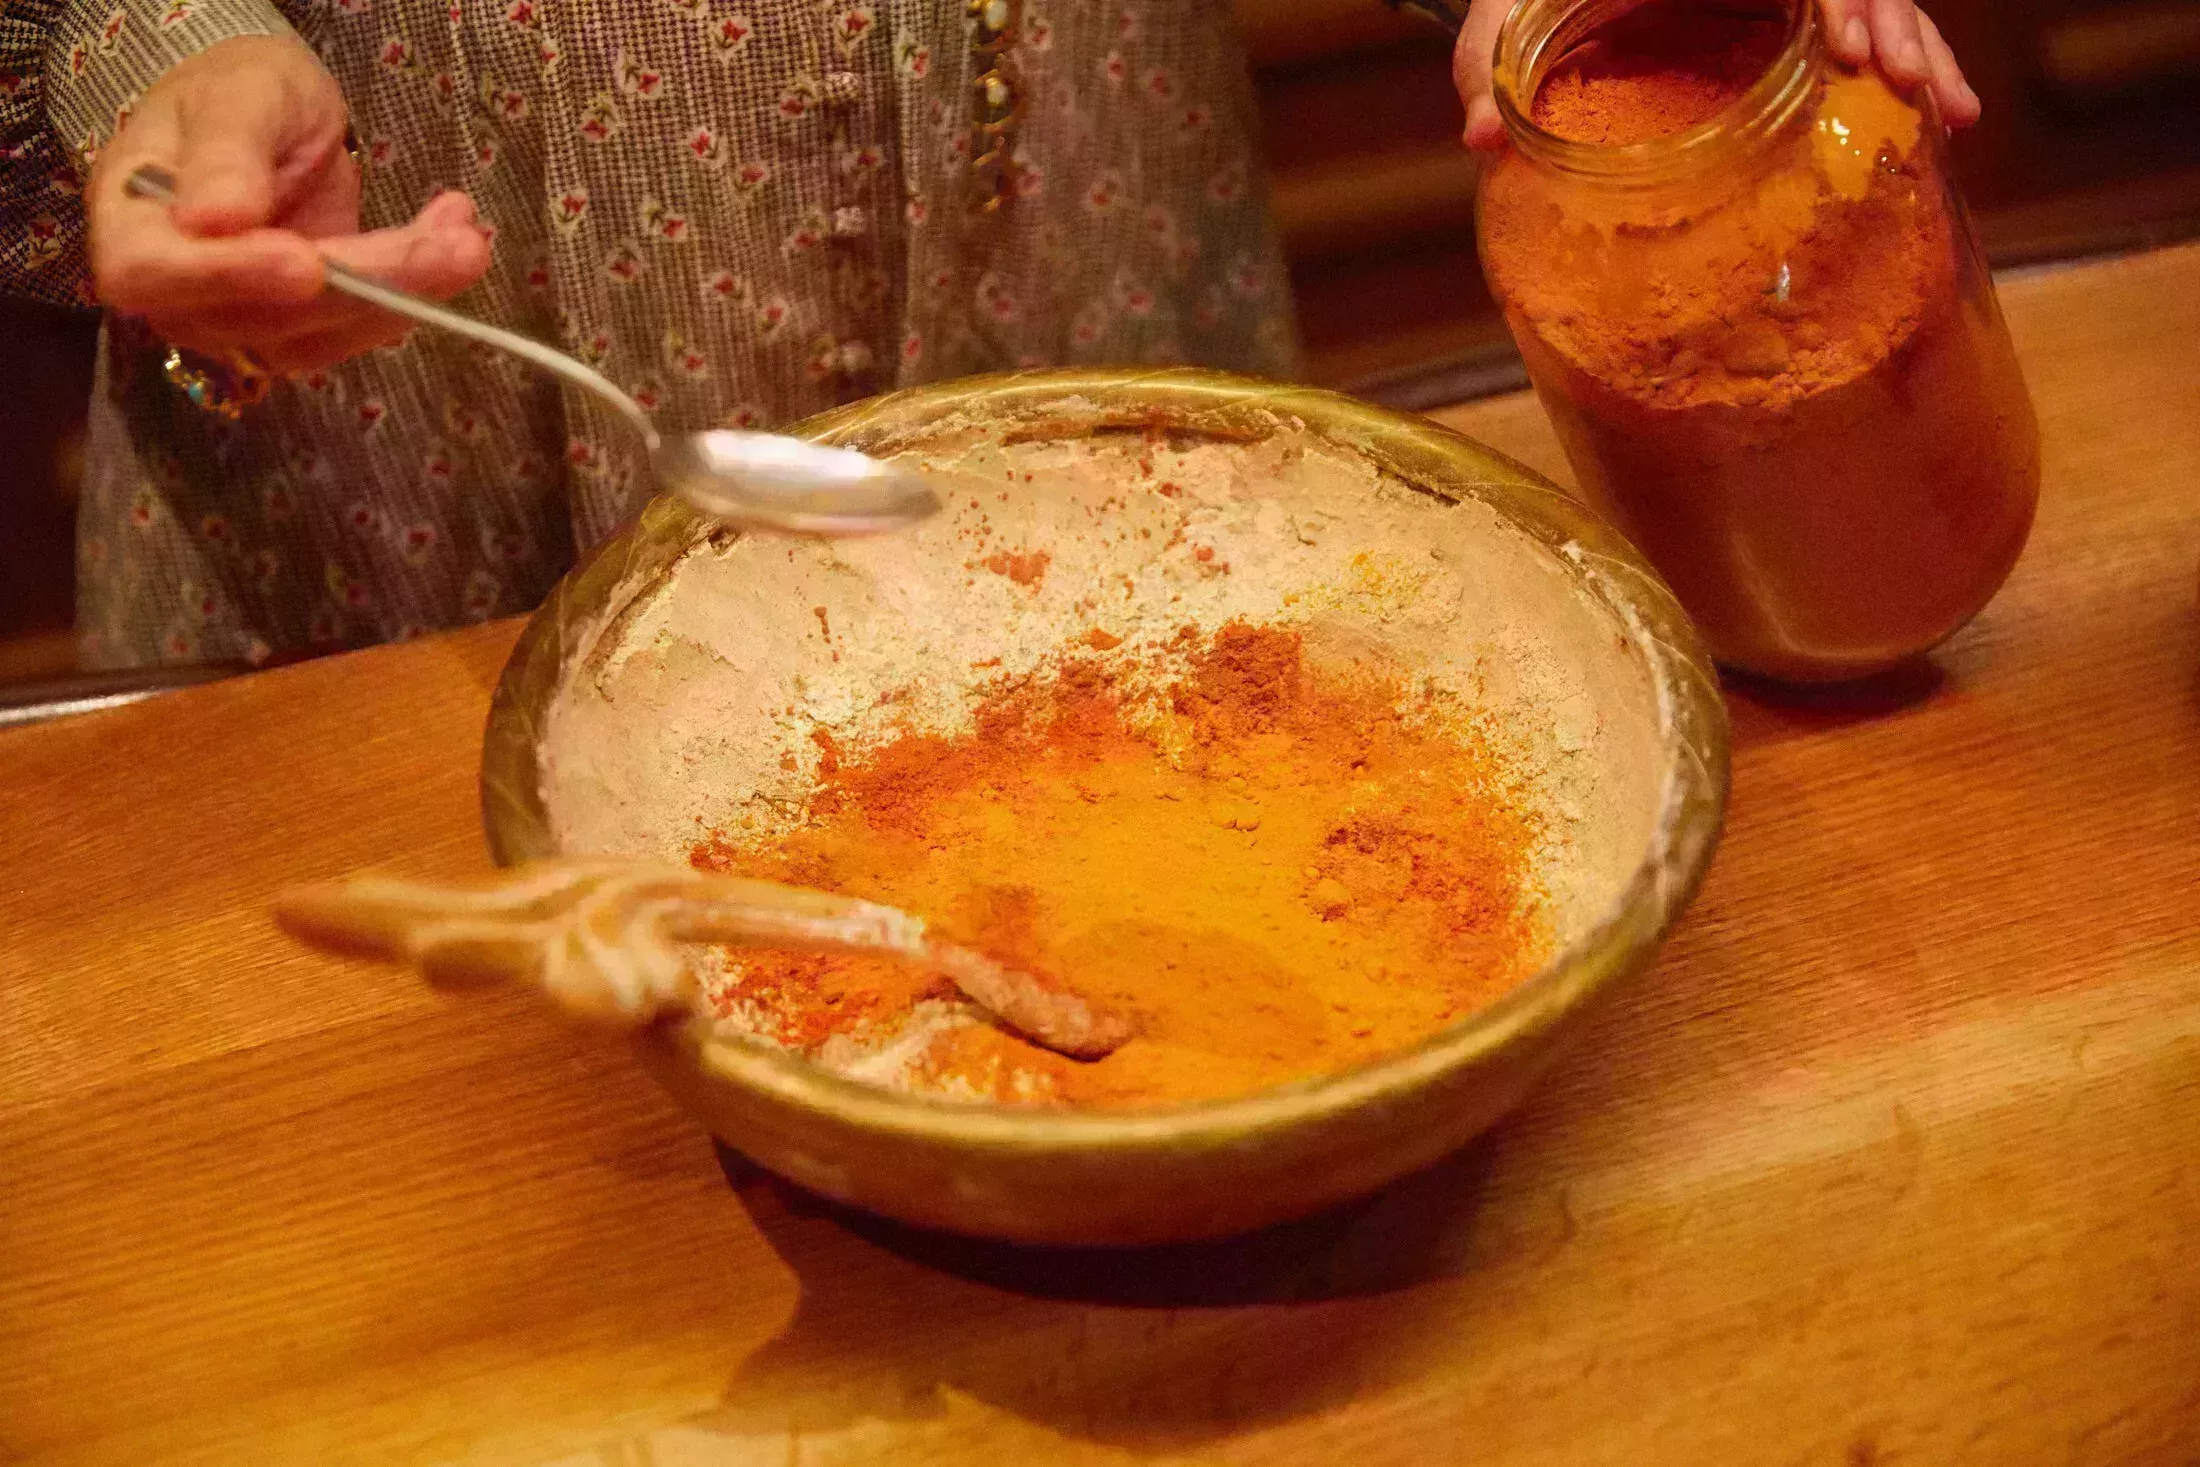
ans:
x=252 y=131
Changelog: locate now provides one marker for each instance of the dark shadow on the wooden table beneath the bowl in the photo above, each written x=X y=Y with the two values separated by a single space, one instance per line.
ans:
x=1132 y=1347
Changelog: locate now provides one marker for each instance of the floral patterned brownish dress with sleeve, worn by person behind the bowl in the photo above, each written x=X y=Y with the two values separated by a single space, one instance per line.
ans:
x=740 y=210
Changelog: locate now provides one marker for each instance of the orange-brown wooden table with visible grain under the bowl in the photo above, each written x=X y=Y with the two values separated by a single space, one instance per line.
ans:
x=1895 y=1158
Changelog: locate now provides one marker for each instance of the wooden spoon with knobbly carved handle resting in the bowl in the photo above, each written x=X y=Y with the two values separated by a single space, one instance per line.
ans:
x=602 y=936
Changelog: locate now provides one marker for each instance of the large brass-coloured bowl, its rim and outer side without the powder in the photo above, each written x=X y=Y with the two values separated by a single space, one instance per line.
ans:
x=1209 y=1169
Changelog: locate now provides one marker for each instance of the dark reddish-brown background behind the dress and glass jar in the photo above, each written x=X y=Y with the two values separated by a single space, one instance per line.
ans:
x=2091 y=144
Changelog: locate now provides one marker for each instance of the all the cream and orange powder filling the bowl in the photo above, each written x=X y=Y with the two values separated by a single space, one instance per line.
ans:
x=1266 y=751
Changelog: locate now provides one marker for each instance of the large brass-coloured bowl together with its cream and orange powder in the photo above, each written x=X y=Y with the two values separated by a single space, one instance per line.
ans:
x=1341 y=758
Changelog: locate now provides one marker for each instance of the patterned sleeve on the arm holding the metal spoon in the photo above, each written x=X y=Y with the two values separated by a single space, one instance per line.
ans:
x=69 y=76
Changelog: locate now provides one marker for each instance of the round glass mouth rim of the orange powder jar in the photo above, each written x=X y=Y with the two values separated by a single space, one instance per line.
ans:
x=1539 y=34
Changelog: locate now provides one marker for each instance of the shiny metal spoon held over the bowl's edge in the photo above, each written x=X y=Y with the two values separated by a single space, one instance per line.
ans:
x=749 y=481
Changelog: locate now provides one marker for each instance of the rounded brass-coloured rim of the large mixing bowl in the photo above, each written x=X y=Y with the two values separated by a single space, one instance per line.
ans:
x=1418 y=452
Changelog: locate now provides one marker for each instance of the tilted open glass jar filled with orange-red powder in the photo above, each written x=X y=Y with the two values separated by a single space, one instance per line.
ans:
x=1770 y=346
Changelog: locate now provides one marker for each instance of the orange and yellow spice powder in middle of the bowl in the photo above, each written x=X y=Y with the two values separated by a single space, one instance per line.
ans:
x=1273 y=870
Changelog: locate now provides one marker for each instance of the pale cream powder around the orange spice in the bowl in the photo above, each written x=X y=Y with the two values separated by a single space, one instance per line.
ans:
x=696 y=707
